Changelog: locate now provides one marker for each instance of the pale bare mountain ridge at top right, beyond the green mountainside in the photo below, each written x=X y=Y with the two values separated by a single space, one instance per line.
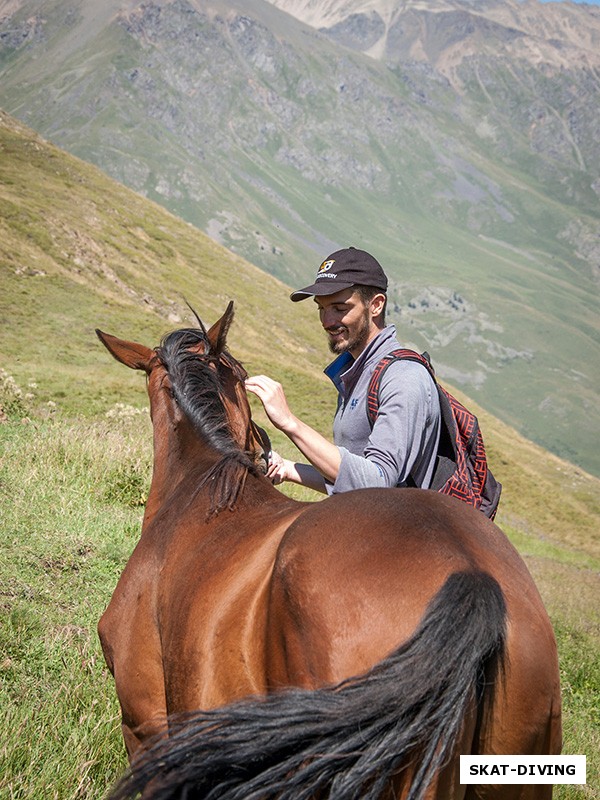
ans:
x=444 y=33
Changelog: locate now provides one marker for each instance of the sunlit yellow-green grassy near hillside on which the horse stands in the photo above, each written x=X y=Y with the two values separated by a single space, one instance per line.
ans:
x=77 y=252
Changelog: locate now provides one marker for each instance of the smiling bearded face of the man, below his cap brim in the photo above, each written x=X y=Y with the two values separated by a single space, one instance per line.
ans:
x=347 y=321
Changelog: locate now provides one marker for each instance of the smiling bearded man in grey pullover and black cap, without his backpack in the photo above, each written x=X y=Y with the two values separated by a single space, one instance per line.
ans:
x=400 y=449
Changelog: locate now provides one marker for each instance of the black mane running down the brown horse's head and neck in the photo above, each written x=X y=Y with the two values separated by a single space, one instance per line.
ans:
x=197 y=388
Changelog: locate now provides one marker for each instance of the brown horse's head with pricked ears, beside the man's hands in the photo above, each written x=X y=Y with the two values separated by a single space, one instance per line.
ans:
x=193 y=379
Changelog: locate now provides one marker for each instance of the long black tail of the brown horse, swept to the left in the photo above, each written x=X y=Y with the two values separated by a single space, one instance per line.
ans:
x=347 y=741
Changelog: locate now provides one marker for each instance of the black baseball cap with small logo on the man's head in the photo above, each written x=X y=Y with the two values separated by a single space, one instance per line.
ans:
x=341 y=270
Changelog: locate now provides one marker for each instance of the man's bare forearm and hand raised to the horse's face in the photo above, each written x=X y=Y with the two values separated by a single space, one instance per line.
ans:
x=322 y=454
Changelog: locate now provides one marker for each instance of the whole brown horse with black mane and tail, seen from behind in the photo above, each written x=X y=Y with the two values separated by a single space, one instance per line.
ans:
x=350 y=648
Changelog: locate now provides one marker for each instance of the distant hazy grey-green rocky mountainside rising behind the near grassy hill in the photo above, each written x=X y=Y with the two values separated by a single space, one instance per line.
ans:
x=457 y=141
